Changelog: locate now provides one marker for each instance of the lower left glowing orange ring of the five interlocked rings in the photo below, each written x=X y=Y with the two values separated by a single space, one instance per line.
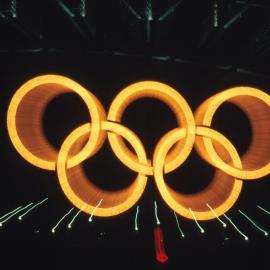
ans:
x=113 y=203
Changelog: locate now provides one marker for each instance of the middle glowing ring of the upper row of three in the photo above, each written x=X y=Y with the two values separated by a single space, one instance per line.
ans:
x=176 y=103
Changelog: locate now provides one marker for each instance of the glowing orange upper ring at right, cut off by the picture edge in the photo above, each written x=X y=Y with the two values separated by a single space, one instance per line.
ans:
x=256 y=105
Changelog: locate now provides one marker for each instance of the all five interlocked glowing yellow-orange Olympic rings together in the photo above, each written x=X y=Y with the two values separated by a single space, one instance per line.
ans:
x=24 y=122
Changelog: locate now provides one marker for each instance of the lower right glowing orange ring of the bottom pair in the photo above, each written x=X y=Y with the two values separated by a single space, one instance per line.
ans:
x=214 y=194
